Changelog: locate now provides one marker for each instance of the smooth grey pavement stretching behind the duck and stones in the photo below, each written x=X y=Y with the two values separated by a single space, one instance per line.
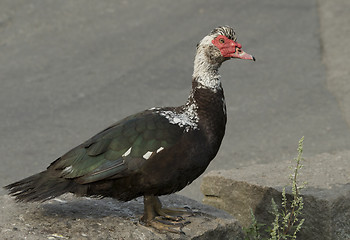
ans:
x=71 y=68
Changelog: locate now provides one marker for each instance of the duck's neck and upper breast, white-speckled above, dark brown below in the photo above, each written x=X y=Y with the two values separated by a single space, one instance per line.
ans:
x=206 y=103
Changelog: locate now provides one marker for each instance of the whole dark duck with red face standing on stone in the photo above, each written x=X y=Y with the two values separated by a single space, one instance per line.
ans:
x=155 y=152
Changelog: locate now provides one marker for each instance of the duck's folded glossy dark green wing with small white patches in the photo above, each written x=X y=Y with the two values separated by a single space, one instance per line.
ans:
x=119 y=149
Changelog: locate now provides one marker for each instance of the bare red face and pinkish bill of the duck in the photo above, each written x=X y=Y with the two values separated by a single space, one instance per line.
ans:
x=230 y=48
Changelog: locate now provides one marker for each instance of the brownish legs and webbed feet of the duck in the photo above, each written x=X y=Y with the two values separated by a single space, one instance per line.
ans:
x=160 y=218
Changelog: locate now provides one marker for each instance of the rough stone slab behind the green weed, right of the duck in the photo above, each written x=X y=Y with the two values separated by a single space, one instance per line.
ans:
x=326 y=197
